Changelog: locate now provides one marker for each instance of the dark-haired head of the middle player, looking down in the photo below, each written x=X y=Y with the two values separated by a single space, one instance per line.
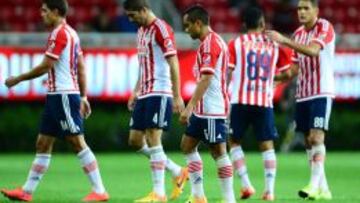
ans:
x=194 y=19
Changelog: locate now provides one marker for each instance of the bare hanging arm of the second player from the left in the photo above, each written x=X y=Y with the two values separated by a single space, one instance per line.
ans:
x=175 y=79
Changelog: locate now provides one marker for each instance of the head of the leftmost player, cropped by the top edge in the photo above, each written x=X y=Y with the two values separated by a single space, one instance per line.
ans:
x=52 y=10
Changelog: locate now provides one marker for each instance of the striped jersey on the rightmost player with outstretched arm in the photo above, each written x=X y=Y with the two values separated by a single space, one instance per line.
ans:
x=316 y=75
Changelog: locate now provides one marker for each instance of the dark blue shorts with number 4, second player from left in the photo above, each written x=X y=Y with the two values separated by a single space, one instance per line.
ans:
x=152 y=112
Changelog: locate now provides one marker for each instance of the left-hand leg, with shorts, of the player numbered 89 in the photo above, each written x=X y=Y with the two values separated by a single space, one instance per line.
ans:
x=238 y=126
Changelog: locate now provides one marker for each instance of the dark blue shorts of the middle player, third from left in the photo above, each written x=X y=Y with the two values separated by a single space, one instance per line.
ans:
x=208 y=130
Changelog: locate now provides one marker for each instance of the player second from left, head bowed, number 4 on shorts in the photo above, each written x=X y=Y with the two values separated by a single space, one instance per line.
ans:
x=156 y=95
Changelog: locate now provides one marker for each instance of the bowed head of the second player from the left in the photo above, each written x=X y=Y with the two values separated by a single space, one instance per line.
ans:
x=137 y=11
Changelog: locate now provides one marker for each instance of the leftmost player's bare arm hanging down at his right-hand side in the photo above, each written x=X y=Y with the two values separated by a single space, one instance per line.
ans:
x=85 y=109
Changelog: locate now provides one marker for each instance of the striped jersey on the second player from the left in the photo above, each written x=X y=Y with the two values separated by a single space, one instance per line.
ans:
x=155 y=43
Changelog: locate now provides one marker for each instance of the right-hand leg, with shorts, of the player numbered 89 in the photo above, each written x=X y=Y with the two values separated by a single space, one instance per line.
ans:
x=265 y=130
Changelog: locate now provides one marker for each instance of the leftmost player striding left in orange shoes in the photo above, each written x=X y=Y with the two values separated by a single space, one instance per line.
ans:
x=66 y=103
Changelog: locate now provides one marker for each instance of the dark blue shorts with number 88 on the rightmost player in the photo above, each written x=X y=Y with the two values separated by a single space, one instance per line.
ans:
x=313 y=114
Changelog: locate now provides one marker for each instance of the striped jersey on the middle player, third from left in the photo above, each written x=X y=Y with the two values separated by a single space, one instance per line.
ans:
x=212 y=58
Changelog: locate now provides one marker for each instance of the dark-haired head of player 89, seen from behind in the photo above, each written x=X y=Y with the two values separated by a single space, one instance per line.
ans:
x=254 y=19
